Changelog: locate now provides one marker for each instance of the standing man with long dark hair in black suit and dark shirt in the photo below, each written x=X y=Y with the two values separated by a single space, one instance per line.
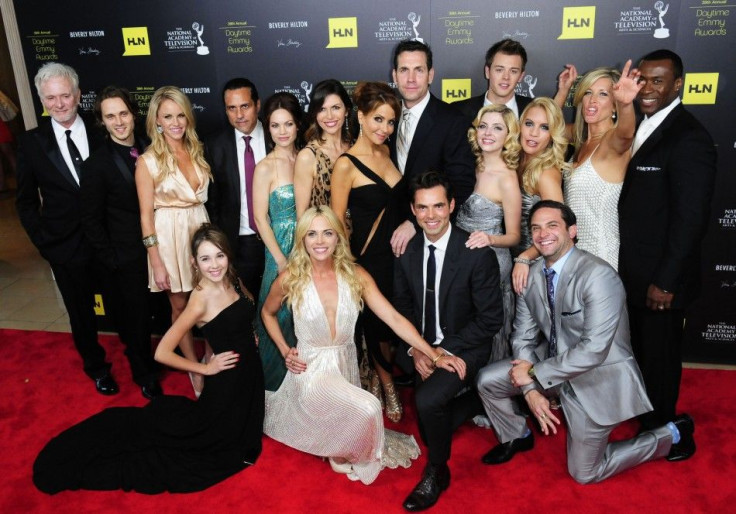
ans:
x=112 y=223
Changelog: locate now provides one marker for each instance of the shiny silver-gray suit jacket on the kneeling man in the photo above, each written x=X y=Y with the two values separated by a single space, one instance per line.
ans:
x=593 y=345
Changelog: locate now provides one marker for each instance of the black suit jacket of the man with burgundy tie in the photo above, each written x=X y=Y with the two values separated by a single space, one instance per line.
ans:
x=223 y=204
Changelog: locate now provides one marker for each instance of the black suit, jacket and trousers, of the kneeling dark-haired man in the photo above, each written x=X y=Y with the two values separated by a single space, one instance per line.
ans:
x=470 y=312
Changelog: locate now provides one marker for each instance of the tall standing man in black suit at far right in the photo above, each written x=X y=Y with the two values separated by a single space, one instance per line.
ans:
x=663 y=213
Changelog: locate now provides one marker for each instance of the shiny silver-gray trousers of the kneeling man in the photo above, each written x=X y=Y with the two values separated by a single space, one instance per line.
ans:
x=590 y=457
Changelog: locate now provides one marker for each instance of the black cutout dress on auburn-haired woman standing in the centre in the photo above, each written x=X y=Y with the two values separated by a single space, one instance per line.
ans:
x=366 y=203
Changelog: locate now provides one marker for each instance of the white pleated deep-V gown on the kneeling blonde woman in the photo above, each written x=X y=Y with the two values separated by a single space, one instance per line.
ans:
x=323 y=411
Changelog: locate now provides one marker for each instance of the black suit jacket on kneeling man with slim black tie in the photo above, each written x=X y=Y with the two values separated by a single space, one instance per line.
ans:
x=470 y=305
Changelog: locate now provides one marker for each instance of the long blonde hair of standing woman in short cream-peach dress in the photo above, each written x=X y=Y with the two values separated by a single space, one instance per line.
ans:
x=159 y=148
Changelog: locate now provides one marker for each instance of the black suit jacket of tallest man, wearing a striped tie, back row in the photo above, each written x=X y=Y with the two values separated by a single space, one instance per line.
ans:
x=440 y=143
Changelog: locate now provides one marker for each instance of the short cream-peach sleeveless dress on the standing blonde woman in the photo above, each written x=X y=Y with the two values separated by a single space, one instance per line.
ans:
x=178 y=213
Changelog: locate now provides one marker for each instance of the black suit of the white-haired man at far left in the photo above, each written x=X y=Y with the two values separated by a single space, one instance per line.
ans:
x=54 y=225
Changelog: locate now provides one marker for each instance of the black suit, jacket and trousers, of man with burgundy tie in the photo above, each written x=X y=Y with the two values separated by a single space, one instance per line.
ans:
x=224 y=204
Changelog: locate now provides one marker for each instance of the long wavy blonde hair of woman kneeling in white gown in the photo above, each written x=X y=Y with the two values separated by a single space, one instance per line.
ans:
x=299 y=265
